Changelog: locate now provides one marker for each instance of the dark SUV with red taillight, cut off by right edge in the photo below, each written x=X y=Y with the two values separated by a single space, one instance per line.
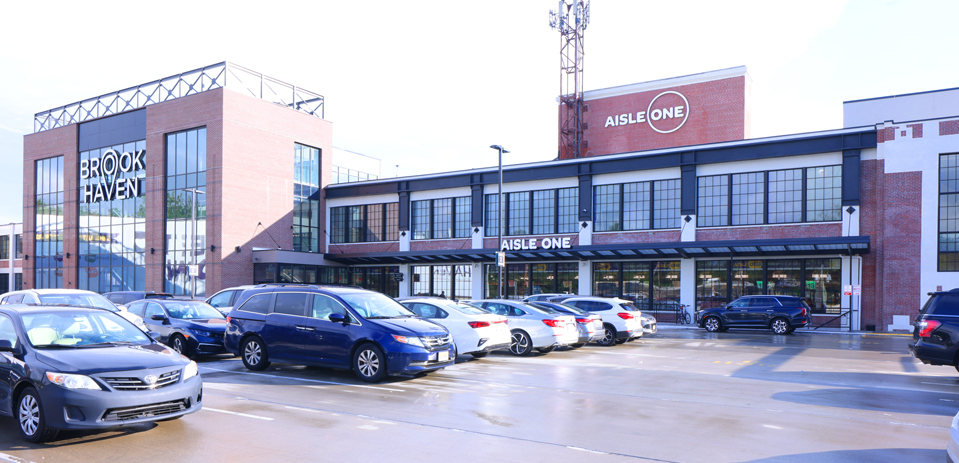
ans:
x=934 y=339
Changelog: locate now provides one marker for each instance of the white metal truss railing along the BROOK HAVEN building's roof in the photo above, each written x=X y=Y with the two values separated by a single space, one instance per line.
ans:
x=200 y=80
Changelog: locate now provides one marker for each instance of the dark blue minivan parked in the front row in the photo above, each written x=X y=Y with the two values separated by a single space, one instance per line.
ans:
x=338 y=327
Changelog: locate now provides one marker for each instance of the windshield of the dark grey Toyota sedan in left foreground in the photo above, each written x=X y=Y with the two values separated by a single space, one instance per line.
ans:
x=78 y=329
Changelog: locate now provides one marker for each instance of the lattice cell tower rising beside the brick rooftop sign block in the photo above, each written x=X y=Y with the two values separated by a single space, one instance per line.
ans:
x=570 y=20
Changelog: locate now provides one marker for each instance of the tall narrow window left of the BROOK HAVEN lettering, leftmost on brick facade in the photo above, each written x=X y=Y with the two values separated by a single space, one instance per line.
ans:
x=48 y=247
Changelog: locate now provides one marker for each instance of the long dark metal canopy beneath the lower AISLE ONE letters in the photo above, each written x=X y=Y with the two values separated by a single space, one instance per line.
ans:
x=843 y=245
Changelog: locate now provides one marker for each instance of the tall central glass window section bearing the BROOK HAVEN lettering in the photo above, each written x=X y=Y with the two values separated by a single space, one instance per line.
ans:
x=111 y=232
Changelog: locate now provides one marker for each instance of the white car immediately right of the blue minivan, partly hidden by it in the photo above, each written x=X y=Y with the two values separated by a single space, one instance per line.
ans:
x=475 y=331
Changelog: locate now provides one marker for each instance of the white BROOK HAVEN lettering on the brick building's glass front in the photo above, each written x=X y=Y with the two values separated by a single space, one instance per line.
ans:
x=109 y=165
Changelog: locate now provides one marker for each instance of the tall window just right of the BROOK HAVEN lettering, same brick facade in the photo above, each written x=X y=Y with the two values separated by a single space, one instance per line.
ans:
x=186 y=213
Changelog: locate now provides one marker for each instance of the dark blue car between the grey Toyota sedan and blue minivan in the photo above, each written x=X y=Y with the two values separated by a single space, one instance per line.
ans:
x=189 y=327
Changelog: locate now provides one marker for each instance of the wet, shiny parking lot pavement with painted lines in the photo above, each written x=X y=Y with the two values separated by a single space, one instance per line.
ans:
x=682 y=395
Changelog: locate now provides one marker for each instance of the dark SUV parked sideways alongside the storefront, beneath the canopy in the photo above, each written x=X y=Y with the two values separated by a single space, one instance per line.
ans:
x=781 y=314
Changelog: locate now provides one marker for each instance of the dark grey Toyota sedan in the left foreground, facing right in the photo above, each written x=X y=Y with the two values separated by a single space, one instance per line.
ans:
x=73 y=368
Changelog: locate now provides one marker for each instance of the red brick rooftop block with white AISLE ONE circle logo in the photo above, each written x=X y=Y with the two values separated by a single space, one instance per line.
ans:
x=690 y=110
